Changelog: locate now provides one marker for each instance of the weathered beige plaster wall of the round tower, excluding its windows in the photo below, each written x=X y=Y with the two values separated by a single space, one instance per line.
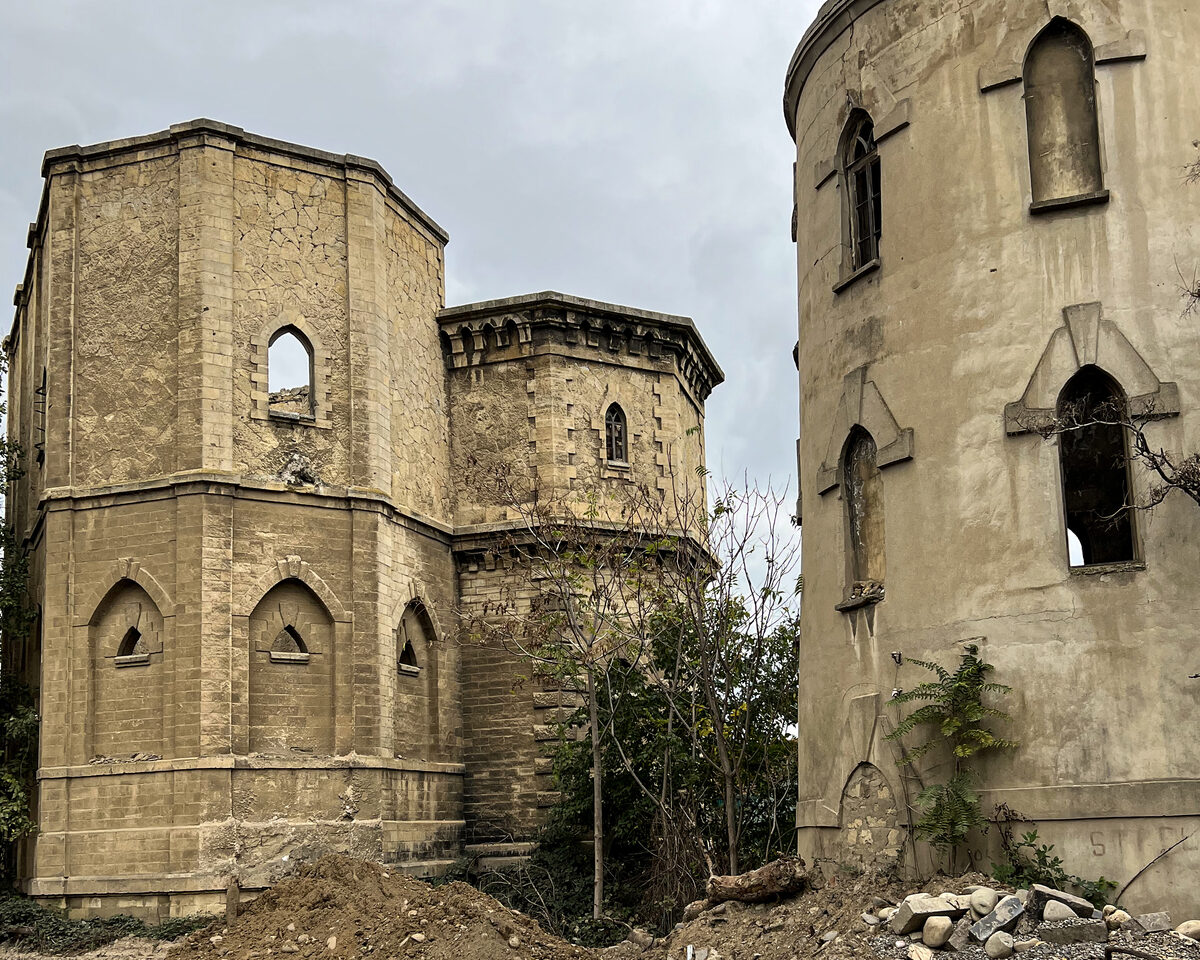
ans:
x=951 y=329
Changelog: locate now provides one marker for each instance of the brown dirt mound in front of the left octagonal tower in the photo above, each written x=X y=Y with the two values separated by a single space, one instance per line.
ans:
x=341 y=908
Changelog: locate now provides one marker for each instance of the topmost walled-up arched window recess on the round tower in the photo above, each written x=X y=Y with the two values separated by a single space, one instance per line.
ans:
x=1060 y=115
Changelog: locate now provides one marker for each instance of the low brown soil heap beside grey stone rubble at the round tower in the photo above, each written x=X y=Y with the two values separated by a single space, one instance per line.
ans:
x=799 y=928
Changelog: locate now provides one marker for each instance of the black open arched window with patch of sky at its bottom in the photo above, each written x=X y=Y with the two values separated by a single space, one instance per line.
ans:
x=1095 y=469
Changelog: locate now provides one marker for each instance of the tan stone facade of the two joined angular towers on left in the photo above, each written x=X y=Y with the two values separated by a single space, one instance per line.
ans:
x=248 y=647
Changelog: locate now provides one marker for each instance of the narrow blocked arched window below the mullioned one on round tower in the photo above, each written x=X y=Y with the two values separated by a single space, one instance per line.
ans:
x=863 y=494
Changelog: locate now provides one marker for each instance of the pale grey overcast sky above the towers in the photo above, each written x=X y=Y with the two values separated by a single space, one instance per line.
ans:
x=627 y=151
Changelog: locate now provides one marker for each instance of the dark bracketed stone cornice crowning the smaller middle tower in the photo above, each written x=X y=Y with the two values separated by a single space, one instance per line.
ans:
x=491 y=331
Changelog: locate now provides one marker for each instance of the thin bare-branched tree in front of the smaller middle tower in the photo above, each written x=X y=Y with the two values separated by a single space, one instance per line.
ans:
x=652 y=580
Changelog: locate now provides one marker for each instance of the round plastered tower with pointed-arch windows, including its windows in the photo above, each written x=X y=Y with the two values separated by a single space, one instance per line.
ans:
x=991 y=221
